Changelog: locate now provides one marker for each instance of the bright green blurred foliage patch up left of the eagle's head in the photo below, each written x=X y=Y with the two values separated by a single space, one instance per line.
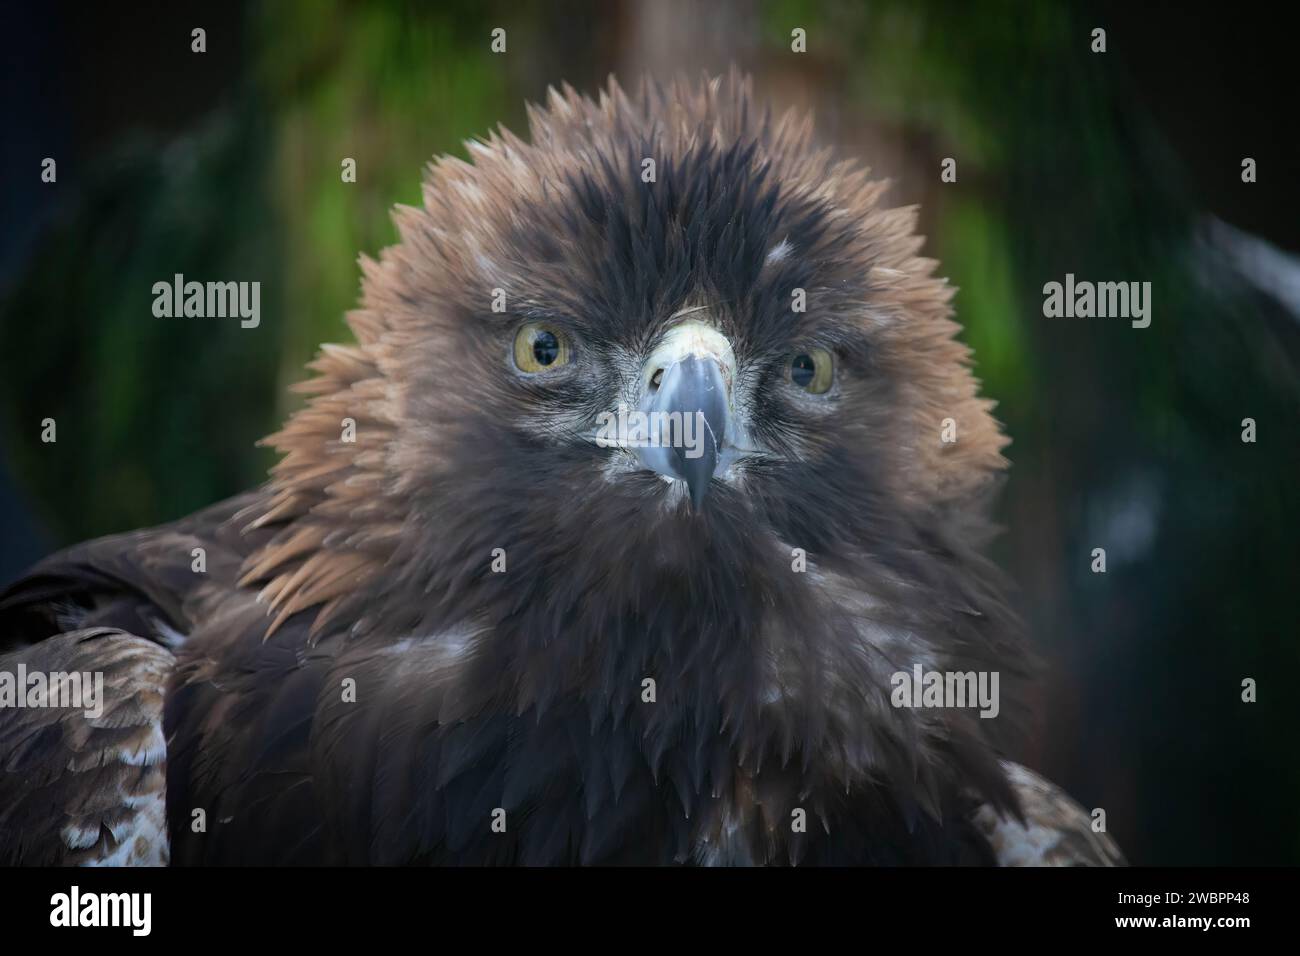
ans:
x=378 y=84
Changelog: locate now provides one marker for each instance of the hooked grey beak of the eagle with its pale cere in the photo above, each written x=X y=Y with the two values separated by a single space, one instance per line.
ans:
x=687 y=399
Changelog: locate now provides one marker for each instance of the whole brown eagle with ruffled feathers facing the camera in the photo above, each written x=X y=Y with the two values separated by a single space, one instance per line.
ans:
x=454 y=629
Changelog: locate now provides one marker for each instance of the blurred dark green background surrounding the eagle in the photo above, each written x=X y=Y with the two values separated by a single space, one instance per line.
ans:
x=1125 y=166
